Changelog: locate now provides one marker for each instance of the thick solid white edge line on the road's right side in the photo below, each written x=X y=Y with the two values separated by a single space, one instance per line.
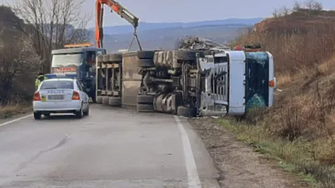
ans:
x=191 y=167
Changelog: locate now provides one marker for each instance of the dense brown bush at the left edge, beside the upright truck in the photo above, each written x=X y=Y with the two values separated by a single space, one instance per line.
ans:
x=18 y=64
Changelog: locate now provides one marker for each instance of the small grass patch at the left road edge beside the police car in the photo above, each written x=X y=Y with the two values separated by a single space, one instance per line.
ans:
x=11 y=110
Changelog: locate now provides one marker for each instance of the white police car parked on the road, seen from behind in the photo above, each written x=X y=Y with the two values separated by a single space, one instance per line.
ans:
x=60 y=95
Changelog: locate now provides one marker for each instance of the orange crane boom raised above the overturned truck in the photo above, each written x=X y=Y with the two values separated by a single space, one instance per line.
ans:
x=121 y=11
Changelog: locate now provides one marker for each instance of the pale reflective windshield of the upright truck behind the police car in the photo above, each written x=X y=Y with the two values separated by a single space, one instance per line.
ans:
x=63 y=60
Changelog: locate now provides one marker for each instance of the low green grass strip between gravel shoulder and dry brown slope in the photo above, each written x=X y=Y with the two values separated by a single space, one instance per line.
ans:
x=301 y=157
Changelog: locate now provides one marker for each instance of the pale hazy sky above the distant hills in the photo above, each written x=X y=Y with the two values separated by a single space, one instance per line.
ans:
x=192 y=10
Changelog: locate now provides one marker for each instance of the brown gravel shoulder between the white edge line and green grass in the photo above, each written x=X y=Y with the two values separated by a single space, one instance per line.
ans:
x=238 y=165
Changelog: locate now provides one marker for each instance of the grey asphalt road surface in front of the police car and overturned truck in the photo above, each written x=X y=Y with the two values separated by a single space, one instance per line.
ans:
x=110 y=148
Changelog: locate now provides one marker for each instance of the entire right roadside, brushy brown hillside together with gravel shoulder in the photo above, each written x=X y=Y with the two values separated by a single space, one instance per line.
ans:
x=298 y=131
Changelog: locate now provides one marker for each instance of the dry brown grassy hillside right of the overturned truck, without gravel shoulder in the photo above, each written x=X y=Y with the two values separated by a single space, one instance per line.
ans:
x=299 y=129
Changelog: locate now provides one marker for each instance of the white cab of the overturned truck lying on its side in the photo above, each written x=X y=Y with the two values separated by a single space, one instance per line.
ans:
x=236 y=81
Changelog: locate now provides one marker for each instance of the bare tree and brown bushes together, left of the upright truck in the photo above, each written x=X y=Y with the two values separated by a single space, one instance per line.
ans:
x=29 y=31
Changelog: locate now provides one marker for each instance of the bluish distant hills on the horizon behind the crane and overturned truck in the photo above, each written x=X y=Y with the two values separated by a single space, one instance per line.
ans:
x=165 y=35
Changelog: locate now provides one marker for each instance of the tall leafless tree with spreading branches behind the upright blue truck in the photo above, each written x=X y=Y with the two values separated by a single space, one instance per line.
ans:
x=54 y=23
